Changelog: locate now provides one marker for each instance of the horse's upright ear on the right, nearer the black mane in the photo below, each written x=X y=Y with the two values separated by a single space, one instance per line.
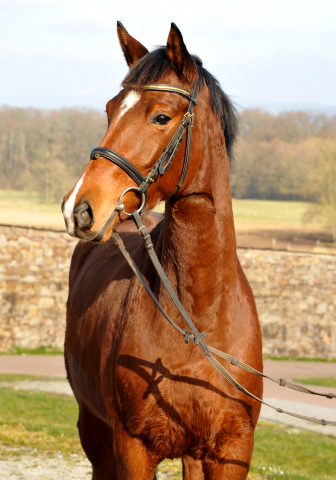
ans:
x=179 y=56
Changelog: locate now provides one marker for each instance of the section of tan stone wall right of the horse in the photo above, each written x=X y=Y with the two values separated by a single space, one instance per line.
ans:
x=296 y=300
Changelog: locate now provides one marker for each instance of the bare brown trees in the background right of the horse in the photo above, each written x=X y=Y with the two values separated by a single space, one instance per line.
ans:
x=290 y=156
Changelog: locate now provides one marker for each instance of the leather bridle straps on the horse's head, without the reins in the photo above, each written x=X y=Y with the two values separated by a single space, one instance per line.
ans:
x=164 y=161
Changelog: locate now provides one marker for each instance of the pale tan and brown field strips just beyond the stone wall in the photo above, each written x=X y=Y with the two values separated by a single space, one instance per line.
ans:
x=249 y=234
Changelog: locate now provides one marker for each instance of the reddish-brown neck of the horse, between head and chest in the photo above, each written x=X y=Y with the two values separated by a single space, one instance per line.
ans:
x=199 y=247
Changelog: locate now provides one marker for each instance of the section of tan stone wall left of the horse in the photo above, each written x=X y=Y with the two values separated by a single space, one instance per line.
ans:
x=34 y=266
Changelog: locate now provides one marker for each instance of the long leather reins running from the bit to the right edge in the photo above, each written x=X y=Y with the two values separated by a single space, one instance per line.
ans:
x=198 y=337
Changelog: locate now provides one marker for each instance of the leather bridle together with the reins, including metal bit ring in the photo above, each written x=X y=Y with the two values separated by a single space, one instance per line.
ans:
x=160 y=167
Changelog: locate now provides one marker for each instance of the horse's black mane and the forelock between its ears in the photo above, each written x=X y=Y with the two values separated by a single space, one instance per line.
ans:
x=152 y=67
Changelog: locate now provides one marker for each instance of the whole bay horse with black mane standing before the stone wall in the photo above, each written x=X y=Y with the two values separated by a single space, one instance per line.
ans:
x=143 y=394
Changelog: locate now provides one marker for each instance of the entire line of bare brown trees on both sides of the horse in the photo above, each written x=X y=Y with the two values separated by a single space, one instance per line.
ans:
x=290 y=156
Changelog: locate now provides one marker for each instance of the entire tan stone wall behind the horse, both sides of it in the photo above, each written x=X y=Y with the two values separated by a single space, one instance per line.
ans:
x=295 y=294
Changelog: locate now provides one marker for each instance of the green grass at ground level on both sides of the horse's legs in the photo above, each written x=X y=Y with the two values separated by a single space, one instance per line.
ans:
x=47 y=423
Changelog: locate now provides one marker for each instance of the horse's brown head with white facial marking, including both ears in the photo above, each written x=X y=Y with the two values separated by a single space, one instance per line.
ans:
x=141 y=123
